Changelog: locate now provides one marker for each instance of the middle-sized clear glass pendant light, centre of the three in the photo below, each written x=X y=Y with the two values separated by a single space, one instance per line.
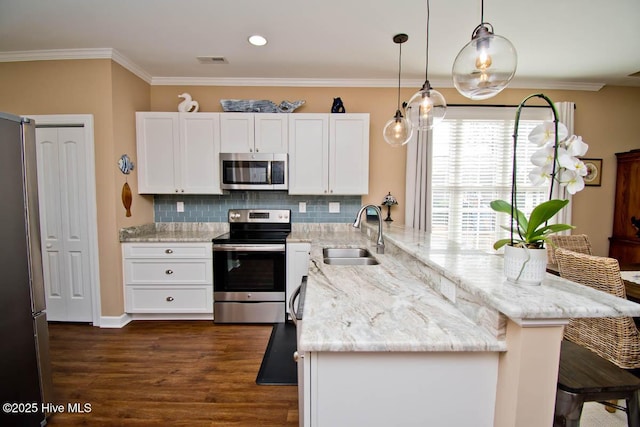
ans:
x=427 y=107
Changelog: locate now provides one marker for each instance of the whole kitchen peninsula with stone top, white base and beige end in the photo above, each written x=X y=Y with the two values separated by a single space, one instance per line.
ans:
x=431 y=334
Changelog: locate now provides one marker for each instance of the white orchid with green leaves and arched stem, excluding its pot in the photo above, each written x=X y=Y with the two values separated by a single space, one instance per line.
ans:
x=556 y=161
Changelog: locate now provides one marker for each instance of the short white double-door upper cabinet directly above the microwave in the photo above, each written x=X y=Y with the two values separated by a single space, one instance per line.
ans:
x=253 y=133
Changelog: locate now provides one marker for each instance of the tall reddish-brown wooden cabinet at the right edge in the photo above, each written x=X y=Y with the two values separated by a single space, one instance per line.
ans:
x=624 y=244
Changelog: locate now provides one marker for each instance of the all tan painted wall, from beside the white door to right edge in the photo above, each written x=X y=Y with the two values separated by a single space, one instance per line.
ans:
x=607 y=120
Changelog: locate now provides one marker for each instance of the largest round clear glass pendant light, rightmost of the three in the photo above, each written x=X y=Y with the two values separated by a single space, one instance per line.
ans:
x=486 y=65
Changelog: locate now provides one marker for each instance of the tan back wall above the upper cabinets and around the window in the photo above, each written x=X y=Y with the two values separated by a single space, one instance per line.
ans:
x=608 y=120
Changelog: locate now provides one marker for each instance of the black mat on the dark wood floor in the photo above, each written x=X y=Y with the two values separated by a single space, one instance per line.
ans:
x=278 y=366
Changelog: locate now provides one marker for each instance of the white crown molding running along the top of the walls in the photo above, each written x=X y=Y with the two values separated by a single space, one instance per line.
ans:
x=113 y=54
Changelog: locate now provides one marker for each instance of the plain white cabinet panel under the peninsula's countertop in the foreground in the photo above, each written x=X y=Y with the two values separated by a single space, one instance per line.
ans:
x=343 y=389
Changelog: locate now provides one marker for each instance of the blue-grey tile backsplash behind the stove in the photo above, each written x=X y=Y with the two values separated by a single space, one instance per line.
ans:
x=214 y=208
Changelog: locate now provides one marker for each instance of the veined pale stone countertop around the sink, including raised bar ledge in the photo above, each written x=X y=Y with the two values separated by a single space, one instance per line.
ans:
x=399 y=305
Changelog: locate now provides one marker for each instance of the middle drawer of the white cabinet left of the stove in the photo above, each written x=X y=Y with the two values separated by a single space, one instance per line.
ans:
x=177 y=272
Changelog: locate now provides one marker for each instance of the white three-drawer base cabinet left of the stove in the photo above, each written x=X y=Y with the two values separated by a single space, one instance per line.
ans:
x=168 y=278
